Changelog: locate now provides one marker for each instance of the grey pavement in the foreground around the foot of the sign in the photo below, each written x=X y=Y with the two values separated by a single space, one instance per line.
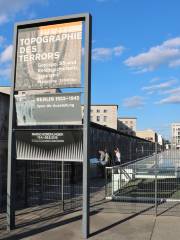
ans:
x=104 y=226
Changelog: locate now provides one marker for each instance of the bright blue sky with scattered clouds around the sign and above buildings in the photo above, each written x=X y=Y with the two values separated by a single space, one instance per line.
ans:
x=136 y=53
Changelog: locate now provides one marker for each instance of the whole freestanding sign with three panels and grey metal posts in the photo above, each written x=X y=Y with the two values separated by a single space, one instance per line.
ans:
x=47 y=55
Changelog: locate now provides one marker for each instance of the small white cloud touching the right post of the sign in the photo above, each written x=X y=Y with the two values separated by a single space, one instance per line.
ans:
x=101 y=54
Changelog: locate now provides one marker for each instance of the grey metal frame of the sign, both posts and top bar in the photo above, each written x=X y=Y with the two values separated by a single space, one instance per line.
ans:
x=87 y=19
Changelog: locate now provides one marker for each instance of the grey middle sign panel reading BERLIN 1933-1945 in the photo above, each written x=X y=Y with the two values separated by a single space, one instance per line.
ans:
x=48 y=109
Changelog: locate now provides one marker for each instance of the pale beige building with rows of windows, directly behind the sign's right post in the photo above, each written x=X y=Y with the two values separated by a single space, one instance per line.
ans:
x=104 y=114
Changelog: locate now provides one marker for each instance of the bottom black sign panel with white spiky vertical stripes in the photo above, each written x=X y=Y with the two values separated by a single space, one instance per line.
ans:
x=50 y=145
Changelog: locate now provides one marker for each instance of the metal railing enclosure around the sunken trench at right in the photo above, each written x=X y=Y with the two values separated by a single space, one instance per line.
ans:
x=153 y=180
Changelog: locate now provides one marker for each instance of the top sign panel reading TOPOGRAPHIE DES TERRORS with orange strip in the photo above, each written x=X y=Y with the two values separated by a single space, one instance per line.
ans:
x=49 y=56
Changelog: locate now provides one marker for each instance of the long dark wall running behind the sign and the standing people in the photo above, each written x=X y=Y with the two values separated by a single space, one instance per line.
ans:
x=42 y=182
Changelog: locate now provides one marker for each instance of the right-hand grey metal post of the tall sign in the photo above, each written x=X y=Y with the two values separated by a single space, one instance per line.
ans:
x=86 y=125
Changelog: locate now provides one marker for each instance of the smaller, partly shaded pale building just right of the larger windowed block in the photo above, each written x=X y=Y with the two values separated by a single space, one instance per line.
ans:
x=127 y=125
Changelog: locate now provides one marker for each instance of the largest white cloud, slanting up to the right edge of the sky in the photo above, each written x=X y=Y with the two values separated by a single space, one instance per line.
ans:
x=165 y=53
